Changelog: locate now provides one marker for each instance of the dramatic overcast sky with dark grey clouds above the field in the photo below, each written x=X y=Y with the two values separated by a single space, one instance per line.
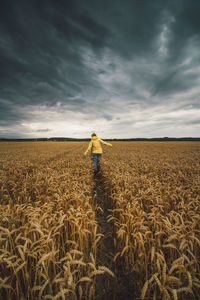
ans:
x=128 y=68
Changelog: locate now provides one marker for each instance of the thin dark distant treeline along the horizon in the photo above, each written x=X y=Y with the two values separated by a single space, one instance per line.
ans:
x=63 y=139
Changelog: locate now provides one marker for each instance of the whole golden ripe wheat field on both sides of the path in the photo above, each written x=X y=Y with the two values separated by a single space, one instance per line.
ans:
x=50 y=232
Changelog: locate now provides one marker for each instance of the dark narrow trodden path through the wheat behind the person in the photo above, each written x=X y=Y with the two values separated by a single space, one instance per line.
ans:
x=107 y=287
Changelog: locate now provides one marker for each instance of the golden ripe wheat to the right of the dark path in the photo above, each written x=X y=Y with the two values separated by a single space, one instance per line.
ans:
x=154 y=193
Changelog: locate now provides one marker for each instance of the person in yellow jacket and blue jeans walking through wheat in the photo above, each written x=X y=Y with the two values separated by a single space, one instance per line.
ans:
x=96 y=150
